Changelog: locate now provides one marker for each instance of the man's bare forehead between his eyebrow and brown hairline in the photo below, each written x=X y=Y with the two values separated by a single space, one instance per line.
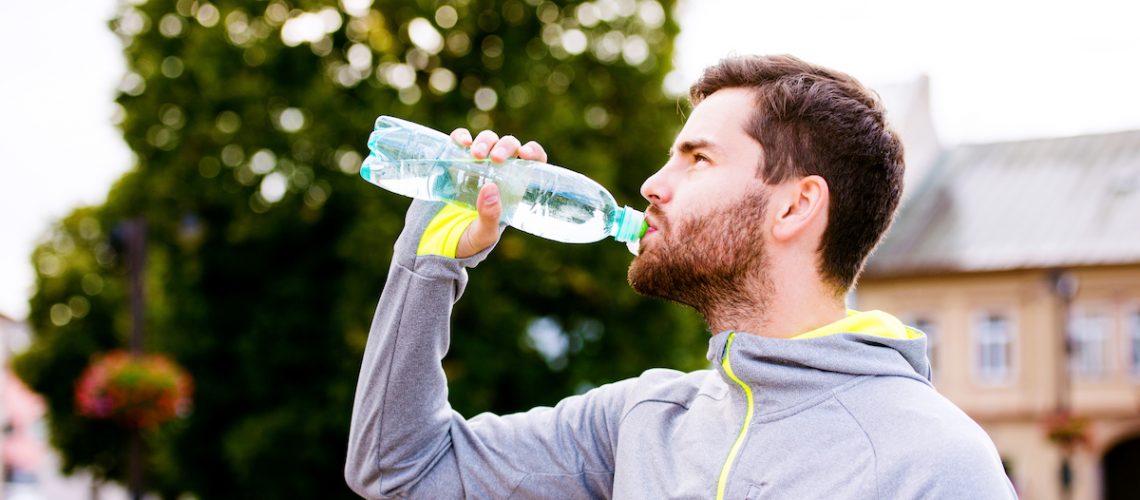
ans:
x=721 y=119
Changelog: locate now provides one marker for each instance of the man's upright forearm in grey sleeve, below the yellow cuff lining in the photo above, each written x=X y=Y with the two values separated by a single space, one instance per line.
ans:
x=401 y=416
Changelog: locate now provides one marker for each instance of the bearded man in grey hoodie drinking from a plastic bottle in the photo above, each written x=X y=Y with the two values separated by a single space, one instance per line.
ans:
x=778 y=187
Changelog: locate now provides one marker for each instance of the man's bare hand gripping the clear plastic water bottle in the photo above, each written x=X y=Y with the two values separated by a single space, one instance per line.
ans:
x=484 y=232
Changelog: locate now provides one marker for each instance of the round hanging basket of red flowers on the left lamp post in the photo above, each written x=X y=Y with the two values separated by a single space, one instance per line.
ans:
x=139 y=391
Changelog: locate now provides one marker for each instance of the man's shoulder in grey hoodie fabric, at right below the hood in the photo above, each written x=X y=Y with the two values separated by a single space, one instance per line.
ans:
x=924 y=445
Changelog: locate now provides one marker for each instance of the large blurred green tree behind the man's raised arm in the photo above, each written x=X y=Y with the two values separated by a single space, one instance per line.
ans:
x=267 y=252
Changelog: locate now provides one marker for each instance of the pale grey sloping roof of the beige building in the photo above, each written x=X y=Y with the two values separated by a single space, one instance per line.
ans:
x=1035 y=204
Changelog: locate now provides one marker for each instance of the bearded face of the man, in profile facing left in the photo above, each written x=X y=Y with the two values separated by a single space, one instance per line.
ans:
x=707 y=210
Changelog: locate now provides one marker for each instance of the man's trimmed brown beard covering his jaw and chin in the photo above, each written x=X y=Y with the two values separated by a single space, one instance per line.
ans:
x=715 y=265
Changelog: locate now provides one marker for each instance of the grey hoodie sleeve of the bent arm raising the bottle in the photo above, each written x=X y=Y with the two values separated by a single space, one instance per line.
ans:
x=405 y=439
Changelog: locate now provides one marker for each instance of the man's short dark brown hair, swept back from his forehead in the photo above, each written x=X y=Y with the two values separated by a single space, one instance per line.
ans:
x=815 y=121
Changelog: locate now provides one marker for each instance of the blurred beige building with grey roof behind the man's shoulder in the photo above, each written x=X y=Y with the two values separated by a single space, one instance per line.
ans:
x=1022 y=263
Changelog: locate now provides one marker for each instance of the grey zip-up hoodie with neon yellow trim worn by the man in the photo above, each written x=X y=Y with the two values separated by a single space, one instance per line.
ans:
x=848 y=416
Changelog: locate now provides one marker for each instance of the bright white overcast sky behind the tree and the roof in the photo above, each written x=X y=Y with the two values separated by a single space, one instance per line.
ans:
x=999 y=71
